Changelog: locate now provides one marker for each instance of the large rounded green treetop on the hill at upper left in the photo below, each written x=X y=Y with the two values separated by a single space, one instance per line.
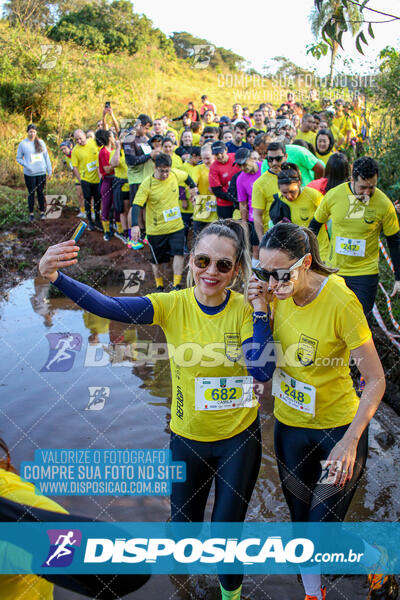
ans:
x=109 y=28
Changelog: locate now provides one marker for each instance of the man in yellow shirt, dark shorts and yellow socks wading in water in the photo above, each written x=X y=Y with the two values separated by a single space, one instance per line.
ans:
x=164 y=225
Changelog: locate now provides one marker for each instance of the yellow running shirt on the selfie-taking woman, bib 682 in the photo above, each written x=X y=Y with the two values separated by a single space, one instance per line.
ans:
x=203 y=347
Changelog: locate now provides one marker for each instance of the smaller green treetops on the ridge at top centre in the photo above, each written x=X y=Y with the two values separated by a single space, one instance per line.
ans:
x=185 y=44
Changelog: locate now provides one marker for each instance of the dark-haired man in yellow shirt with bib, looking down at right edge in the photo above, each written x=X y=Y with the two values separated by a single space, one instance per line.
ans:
x=359 y=213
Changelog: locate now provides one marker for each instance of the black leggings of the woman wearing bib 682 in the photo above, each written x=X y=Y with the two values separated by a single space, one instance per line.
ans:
x=233 y=464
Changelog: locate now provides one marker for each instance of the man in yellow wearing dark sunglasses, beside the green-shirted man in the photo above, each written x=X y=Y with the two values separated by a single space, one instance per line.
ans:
x=266 y=186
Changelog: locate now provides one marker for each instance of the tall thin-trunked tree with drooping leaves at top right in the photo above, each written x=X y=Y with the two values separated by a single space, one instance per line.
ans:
x=334 y=17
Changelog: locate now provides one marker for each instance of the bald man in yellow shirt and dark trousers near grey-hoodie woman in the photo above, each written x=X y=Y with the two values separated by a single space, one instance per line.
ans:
x=84 y=160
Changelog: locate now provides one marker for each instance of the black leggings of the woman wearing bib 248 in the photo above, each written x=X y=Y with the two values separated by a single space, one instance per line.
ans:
x=299 y=452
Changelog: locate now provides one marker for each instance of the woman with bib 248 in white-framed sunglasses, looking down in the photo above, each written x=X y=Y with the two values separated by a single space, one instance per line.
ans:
x=321 y=427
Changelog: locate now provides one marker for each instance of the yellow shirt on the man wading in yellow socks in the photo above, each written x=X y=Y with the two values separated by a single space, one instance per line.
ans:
x=161 y=198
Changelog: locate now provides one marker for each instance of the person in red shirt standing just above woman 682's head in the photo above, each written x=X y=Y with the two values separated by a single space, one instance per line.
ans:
x=221 y=172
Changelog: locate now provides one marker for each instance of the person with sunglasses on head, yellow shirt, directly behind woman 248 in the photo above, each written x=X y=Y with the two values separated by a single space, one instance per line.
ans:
x=297 y=204
